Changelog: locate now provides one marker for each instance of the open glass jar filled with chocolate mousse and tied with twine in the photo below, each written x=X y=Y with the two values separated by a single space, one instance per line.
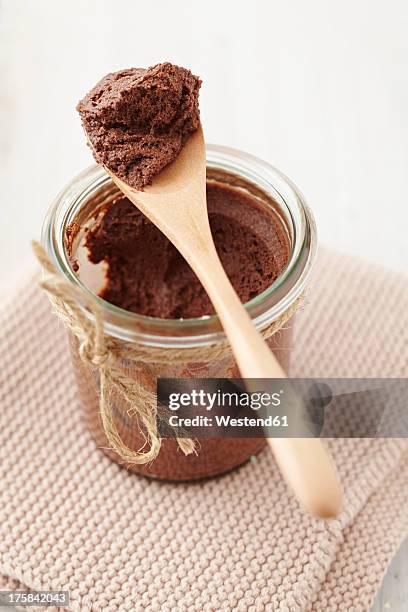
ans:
x=157 y=319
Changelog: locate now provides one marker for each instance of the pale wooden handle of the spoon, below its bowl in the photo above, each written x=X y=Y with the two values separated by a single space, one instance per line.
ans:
x=304 y=462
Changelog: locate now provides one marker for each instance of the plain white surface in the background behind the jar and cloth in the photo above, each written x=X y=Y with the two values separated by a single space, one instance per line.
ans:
x=317 y=88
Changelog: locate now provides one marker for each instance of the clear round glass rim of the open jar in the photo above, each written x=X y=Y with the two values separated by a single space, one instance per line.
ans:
x=153 y=331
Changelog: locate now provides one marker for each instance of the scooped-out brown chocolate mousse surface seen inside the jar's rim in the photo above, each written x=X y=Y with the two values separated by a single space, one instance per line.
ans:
x=147 y=275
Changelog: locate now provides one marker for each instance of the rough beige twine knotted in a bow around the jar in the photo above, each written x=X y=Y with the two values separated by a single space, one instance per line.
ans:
x=107 y=354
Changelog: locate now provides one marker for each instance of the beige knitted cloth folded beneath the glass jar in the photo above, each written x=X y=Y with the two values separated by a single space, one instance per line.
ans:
x=71 y=519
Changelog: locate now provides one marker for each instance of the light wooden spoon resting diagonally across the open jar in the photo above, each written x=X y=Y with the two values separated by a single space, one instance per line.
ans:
x=176 y=204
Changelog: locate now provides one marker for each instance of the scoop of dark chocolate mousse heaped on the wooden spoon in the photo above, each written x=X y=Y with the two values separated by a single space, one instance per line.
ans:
x=138 y=120
